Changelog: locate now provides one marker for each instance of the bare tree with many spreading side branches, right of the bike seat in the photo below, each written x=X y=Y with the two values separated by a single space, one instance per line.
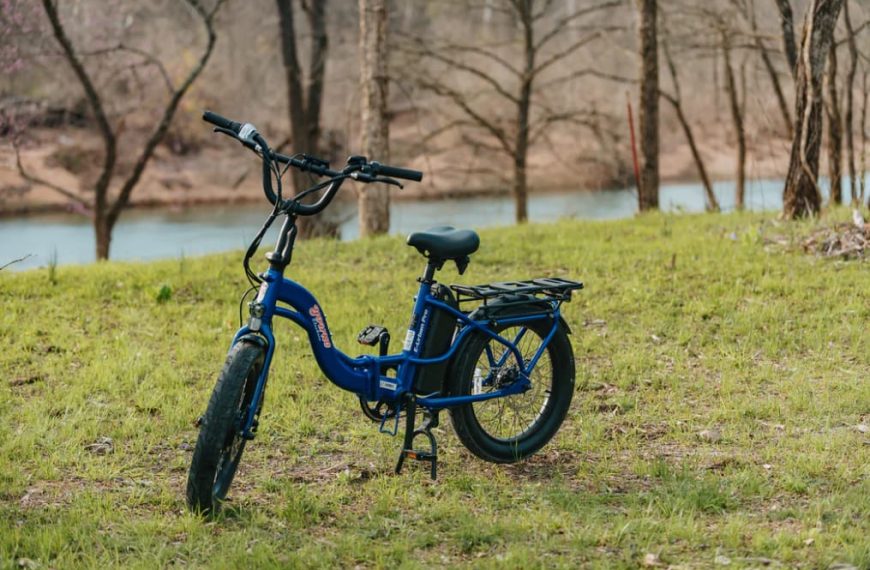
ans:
x=514 y=81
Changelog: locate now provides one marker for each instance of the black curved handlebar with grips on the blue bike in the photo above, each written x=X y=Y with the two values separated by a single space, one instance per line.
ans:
x=357 y=167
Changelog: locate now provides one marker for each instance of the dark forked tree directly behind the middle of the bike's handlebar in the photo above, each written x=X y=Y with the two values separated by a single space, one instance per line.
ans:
x=304 y=109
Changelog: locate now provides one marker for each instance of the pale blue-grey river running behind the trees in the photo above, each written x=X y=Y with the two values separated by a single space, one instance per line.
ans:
x=174 y=232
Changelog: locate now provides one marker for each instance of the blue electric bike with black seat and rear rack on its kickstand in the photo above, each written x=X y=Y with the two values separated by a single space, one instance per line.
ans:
x=503 y=368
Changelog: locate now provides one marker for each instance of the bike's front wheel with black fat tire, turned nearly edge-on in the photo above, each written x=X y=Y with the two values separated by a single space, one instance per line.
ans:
x=220 y=444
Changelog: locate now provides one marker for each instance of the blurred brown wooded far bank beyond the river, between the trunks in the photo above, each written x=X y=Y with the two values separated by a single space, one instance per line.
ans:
x=581 y=130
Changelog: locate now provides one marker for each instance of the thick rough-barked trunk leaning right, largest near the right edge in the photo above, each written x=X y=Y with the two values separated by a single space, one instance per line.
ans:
x=801 y=195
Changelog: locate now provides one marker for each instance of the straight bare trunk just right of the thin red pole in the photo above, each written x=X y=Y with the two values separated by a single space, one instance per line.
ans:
x=648 y=191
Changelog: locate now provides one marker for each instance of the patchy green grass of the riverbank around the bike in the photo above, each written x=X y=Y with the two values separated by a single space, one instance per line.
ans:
x=688 y=323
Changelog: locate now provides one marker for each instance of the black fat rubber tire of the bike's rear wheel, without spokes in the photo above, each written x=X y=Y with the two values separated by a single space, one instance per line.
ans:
x=460 y=383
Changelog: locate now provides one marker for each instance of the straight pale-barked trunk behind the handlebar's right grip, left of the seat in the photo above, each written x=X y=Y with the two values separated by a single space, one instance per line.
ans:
x=374 y=200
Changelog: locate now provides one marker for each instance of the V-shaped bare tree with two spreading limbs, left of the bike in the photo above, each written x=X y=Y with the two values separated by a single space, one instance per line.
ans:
x=107 y=205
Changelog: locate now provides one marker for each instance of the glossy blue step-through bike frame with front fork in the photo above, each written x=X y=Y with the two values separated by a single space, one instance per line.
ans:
x=364 y=375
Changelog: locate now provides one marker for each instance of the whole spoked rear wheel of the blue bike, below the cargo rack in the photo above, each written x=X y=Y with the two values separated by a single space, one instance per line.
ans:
x=508 y=429
